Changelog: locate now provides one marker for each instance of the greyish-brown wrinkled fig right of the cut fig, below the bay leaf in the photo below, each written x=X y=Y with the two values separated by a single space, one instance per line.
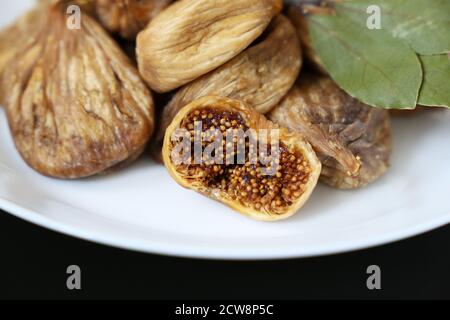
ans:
x=352 y=140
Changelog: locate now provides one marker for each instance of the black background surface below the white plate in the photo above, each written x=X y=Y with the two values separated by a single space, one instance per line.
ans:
x=33 y=264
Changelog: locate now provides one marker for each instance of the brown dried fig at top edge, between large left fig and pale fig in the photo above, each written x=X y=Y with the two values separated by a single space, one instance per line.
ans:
x=128 y=17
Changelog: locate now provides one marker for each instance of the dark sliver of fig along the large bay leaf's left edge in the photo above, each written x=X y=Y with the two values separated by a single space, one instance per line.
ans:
x=298 y=19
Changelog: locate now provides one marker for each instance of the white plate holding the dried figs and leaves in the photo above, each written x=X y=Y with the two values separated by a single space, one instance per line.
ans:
x=141 y=208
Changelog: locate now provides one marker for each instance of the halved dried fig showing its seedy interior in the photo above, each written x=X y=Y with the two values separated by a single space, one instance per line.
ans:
x=230 y=161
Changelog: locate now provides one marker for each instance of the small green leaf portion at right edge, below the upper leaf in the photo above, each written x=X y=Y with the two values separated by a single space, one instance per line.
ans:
x=436 y=86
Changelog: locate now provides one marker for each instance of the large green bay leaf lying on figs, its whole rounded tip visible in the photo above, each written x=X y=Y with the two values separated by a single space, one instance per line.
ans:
x=370 y=65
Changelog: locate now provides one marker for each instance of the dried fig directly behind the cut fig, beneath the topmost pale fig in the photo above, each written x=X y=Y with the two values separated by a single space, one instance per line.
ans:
x=260 y=76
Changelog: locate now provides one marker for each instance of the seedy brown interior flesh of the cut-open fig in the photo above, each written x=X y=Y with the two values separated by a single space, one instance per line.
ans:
x=245 y=182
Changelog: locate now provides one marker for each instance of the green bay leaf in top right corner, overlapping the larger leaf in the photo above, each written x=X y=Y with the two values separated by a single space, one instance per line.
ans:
x=423 y=24
